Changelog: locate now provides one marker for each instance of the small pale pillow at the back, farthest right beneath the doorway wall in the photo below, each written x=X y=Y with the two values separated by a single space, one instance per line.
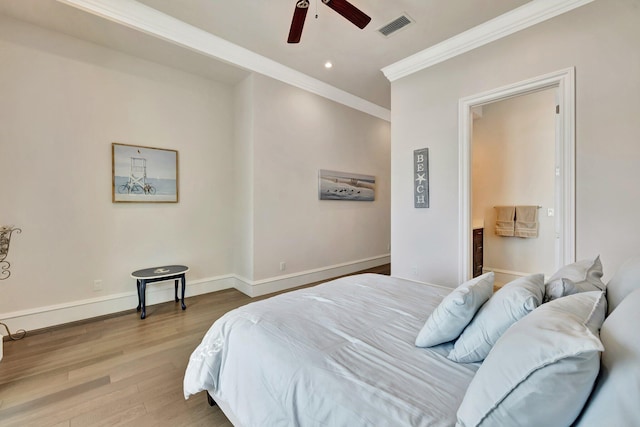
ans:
x=581 y=276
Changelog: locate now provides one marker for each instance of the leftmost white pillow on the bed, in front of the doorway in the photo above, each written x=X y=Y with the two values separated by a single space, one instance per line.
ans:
x=455 y=311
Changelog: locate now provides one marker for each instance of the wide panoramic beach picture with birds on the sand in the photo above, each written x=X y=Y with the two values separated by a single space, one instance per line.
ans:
x=346 y=186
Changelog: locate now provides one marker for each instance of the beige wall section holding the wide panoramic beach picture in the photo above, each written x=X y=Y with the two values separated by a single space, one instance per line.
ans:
x=296 y=134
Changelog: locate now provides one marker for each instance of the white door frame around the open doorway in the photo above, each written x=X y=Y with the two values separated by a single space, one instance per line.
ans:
x=564 y=82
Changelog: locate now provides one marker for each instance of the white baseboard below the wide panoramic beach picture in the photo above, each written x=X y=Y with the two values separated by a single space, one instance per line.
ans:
x=255 y=288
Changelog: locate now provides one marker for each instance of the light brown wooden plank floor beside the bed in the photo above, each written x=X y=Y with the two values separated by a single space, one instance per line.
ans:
x=112 y=371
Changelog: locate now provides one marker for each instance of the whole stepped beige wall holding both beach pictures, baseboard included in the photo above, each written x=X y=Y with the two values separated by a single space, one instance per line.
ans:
x=64 y=101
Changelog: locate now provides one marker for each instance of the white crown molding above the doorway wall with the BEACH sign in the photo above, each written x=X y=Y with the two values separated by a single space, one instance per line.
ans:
x=525 y=16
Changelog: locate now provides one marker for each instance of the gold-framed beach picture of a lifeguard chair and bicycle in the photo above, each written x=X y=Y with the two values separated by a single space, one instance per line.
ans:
x=143 y=174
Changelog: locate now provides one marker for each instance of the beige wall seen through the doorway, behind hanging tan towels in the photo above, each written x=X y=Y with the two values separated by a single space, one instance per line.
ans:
x=514 y=164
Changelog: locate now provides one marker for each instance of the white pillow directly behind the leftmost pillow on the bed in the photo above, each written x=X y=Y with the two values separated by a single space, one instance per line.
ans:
x=508 y=305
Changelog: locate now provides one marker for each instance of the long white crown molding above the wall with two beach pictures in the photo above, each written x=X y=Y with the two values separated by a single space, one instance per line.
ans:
x=140 y=17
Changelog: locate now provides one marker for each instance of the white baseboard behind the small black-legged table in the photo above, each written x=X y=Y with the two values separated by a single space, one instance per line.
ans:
x=44 y=317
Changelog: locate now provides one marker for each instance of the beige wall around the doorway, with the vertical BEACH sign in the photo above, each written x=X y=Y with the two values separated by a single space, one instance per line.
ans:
x=602 y=41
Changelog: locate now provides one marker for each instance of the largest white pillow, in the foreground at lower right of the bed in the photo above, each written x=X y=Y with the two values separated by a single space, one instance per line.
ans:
x=541 y=371
